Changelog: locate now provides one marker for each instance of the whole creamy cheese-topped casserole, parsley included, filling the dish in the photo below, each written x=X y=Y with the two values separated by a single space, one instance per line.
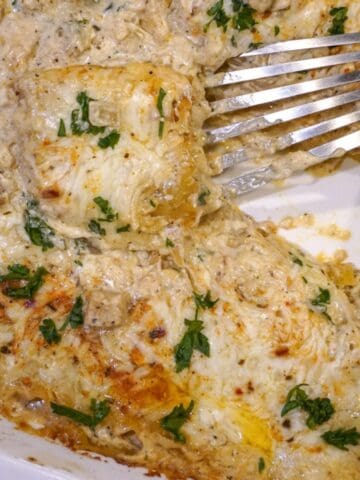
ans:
x=142 y=315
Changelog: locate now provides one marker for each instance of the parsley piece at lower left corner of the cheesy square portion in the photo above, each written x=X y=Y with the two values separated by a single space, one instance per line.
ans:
x=39 y=231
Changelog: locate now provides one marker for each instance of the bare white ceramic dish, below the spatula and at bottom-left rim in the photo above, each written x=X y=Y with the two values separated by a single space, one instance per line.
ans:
x=333 y=199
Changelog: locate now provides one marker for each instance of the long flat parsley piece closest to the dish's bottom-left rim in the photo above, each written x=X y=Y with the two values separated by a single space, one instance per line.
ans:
x=99 y=410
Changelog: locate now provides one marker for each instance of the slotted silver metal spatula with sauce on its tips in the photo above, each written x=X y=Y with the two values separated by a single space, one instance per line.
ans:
x=257 y=177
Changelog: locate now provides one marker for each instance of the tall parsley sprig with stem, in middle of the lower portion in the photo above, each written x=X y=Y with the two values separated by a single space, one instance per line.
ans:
x=193 y=339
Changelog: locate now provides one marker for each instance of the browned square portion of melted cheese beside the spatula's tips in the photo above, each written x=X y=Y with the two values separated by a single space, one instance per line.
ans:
x=148 y=180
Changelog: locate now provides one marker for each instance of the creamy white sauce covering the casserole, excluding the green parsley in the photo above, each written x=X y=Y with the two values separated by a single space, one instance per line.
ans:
x=264 y=333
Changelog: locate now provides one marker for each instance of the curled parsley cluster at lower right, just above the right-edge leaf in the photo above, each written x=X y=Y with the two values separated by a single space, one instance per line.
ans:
x=319 y=409
